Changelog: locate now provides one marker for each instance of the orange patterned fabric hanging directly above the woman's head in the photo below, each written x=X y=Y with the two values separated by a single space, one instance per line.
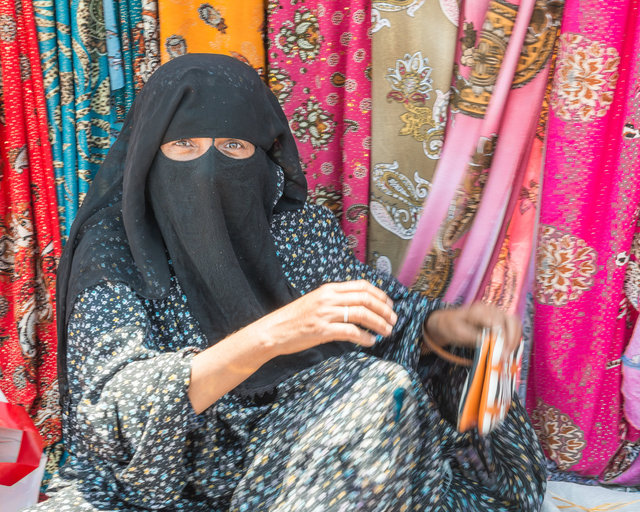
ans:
x=230 y=27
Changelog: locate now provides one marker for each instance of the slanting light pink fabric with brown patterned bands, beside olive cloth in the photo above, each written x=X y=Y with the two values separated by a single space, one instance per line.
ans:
x=484 y=173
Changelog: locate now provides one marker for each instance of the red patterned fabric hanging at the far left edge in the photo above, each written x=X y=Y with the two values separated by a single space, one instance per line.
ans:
x=29 y=233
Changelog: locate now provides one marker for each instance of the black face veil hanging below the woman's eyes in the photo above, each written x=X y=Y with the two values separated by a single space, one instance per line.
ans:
x=214 y=215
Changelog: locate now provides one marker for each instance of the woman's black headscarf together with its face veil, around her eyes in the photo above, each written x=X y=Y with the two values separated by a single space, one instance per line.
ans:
x=210 y=216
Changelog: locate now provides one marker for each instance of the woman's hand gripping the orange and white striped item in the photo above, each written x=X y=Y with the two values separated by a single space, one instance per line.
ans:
x=462 y=326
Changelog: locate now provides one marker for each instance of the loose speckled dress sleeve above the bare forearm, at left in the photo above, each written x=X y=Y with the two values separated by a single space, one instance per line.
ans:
x=129 y=411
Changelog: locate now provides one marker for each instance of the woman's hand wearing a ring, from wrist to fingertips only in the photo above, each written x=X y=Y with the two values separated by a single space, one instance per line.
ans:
x=319 y=317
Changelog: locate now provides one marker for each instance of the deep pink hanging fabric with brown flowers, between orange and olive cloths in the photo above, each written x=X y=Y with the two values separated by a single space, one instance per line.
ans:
x=320 y=70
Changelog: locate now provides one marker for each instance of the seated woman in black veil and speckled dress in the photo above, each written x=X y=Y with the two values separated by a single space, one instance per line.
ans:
x=222 y=349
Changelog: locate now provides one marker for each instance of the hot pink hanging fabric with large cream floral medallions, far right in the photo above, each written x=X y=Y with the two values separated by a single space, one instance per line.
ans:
x=589 y=208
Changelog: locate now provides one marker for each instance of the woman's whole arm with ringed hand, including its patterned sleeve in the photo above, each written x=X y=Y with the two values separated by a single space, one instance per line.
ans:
x=136 y=384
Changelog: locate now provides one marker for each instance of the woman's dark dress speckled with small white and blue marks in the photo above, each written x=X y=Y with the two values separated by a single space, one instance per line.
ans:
x=369 y=430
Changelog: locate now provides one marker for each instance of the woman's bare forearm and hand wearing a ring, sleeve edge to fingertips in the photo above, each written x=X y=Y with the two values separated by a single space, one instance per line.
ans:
x=315 y=318
